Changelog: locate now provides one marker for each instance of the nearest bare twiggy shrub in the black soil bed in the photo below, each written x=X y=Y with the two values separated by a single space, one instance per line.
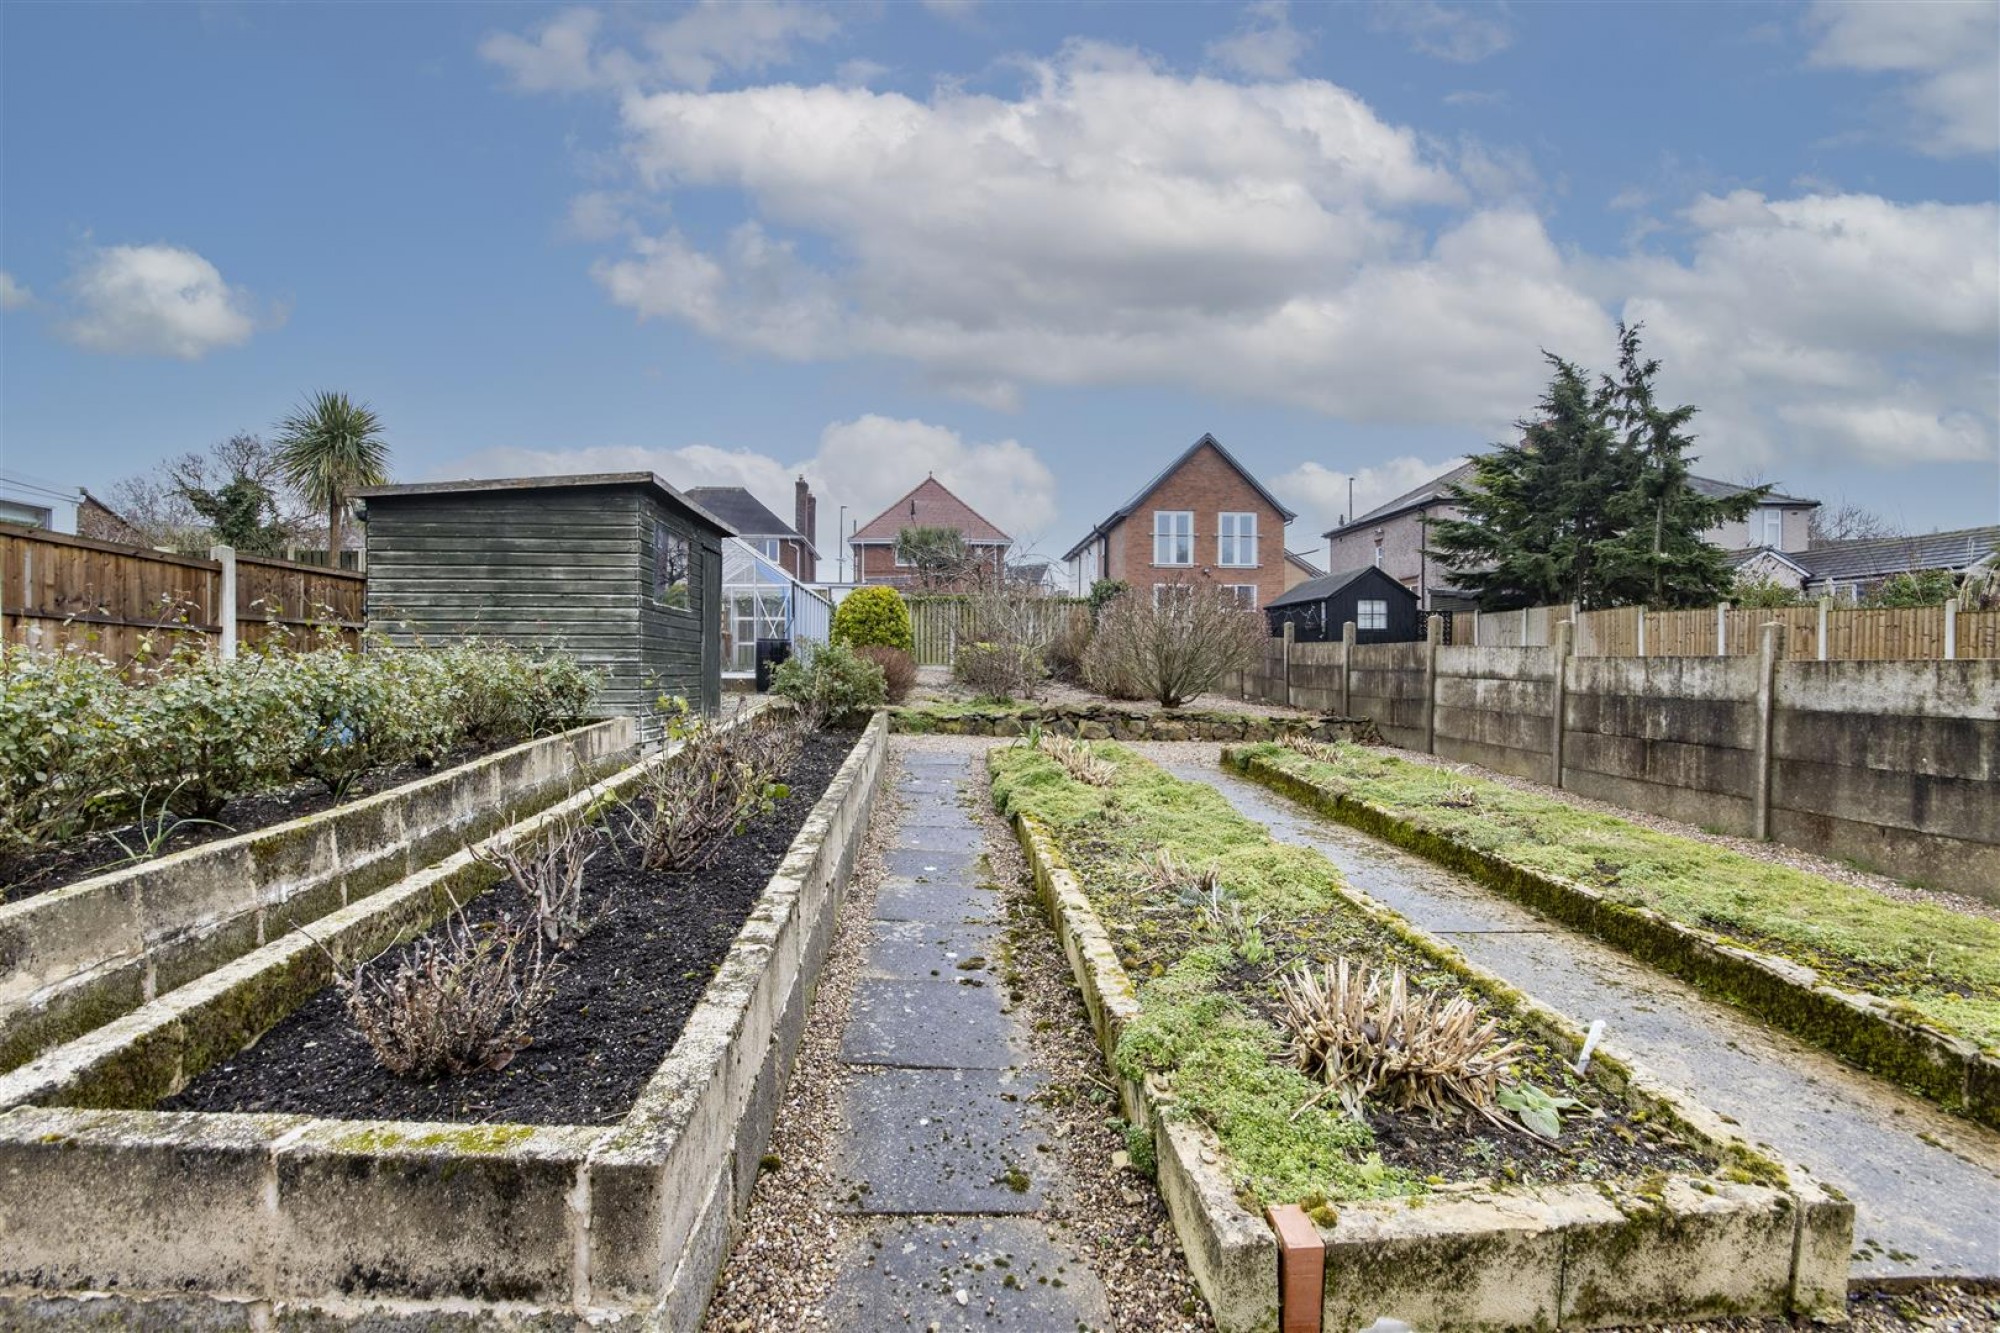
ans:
x=459 y=1002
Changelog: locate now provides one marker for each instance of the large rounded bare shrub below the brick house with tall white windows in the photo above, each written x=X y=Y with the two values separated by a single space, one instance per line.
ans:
x=1171 y=645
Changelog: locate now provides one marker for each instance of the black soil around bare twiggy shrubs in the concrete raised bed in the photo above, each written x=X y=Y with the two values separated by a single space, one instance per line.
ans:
x=621 y=1000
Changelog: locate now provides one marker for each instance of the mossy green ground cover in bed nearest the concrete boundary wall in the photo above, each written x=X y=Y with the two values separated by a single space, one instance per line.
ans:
x=1933 y=964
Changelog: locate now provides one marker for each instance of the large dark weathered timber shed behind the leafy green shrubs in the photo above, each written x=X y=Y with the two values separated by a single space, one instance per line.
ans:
x=615 y=567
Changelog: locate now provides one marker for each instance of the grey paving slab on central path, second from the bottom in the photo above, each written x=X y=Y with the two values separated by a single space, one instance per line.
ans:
x=939 y=1142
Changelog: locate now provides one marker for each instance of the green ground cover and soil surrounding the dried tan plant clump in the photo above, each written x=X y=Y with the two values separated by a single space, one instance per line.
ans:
x=1209 y=1004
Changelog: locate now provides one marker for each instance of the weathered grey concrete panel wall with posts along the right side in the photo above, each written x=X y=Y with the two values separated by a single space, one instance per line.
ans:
x=1887 y=764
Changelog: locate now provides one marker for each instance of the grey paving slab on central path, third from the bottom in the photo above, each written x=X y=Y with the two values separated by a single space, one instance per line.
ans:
x=929 y=1026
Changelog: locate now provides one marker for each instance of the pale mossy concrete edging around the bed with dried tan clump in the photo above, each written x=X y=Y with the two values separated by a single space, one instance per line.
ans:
x=1477 y=1258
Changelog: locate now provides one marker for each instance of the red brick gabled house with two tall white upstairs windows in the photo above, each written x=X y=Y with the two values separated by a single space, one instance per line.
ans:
x=1203 y=515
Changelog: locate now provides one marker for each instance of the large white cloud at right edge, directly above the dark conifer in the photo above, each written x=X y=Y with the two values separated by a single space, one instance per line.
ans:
x=1829 y=325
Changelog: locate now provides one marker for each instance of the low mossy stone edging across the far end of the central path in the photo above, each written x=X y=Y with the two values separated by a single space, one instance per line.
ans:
x=1115 y=724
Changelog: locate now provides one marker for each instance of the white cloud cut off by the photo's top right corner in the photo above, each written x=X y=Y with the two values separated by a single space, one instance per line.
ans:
x=1949 y=55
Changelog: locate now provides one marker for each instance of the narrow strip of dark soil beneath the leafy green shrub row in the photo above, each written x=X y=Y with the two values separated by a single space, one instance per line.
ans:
x=53 y=868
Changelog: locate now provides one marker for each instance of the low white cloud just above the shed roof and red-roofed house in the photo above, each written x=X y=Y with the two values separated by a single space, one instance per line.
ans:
x=865 y=463
